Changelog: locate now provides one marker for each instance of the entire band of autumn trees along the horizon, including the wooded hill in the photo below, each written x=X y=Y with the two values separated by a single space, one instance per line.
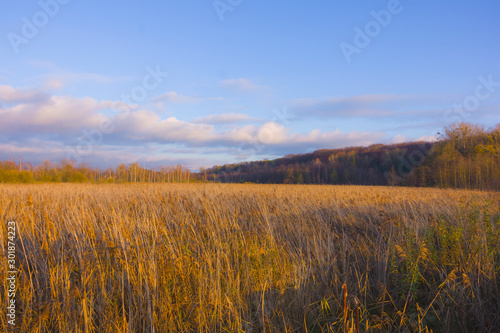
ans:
x=465 y=156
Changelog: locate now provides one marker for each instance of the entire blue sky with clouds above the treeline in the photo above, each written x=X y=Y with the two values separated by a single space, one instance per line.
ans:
x=202 y=82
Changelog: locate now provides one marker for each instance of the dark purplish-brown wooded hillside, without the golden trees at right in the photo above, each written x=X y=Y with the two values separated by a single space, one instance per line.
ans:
x=374 y=165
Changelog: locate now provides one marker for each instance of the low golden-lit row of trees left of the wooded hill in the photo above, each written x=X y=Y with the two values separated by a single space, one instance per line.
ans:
x=68 y=172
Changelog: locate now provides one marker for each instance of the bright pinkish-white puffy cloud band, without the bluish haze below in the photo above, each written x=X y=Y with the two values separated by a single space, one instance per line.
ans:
x=65 y=113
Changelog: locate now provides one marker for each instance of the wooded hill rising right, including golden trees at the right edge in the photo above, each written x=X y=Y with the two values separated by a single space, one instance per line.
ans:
x=466 y=156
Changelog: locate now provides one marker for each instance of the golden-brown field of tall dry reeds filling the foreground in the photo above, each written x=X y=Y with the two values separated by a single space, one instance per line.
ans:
x=251 y=258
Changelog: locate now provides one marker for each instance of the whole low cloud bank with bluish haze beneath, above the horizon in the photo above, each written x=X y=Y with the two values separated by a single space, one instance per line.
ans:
x=34 y=122
